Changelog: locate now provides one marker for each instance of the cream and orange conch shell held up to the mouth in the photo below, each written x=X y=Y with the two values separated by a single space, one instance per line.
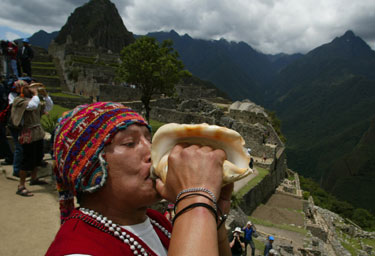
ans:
x=166 y=137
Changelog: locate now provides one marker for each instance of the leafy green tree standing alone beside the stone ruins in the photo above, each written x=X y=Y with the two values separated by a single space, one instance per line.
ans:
x=152 y=67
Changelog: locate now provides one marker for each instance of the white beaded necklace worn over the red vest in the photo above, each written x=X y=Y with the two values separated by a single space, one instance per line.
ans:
x=105 y=225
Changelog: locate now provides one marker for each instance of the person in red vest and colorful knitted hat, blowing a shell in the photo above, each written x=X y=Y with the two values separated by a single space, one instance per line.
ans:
x=103 y=158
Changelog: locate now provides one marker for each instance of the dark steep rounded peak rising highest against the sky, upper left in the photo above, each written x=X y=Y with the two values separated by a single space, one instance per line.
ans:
x=96 y=23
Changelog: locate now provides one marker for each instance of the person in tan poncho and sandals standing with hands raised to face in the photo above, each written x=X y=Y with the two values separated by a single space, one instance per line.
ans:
x=27 y=111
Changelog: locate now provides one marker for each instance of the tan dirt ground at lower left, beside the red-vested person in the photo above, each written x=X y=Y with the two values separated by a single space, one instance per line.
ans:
x=27 y=224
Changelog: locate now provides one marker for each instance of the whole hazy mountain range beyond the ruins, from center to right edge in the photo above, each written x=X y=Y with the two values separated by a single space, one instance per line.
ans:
x=324 y=98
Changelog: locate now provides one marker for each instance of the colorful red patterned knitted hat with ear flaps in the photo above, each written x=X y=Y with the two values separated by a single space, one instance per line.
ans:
x=80 y=137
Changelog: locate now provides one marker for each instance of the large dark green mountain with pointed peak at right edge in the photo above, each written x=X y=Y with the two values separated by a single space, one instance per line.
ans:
x=326 y=101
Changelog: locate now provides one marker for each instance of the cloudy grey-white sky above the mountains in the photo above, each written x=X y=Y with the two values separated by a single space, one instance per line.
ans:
x=270 y=26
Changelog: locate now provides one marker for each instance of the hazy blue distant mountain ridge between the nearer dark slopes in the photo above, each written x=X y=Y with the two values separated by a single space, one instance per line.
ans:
x=235 y=68
